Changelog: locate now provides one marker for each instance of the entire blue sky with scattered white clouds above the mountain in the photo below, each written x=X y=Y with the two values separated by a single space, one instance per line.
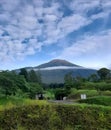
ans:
x=36 y=31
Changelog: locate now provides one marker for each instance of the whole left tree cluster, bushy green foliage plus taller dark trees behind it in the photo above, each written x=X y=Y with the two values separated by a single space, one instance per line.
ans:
x=24 y=83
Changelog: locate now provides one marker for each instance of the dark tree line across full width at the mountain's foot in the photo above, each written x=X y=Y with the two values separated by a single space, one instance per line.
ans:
x=28 y=83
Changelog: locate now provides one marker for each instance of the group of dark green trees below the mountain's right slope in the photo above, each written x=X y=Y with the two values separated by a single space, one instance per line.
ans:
x=98 y=81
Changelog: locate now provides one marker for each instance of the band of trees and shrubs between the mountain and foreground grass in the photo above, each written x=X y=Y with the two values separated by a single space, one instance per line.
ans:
x=29 y=83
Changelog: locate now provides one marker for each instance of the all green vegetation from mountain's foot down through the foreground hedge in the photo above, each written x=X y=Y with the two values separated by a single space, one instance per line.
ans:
x=19 y=111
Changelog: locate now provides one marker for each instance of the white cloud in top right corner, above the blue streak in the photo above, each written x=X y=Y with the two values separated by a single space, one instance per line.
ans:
x=102 y=8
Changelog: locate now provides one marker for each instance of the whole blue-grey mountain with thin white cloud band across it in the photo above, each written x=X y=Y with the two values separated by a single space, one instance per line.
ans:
x=55 y=70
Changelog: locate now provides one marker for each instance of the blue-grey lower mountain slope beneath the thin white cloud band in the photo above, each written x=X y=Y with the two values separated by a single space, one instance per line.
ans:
x=57 y=75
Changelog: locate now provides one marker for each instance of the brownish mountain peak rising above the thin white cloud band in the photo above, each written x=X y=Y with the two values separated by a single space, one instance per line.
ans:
x=57 y=62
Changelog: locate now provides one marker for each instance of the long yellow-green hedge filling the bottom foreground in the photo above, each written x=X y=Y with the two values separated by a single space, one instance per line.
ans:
x=56 y=117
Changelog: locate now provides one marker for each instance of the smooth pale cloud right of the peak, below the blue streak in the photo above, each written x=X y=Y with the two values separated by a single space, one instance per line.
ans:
x=95 y=47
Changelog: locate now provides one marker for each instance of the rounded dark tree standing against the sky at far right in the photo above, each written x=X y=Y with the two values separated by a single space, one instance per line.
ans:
x=103 y=73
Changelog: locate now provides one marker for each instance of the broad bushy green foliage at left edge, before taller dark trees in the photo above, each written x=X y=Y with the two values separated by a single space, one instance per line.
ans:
x=12 y=84
